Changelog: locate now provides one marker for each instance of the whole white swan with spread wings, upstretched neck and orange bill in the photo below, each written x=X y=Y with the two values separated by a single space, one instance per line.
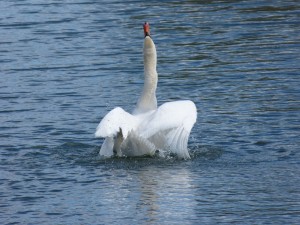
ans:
x=148 y=129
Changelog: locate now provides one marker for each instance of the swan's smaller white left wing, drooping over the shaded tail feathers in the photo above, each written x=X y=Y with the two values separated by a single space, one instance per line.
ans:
x=115 y=120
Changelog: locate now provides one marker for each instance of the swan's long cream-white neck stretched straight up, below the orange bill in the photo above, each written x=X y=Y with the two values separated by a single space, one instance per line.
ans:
x=148 y=100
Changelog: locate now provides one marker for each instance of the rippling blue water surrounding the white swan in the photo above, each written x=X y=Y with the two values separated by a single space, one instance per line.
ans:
x=65 y=64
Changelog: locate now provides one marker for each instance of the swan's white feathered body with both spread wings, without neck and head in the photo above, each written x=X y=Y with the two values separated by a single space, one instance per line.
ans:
x=166 y=128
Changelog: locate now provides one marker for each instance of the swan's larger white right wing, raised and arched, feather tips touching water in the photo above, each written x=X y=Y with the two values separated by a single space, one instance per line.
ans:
x=171 y=123
